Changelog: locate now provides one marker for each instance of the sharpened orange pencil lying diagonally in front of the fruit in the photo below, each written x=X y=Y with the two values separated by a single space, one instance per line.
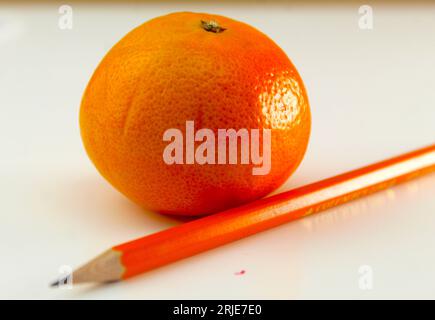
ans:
x=161 y=248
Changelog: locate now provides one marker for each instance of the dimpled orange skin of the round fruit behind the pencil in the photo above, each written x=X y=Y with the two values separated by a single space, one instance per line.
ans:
x=170 y=70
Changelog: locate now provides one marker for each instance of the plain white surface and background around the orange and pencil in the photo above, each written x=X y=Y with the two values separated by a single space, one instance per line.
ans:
x=372 y=95
